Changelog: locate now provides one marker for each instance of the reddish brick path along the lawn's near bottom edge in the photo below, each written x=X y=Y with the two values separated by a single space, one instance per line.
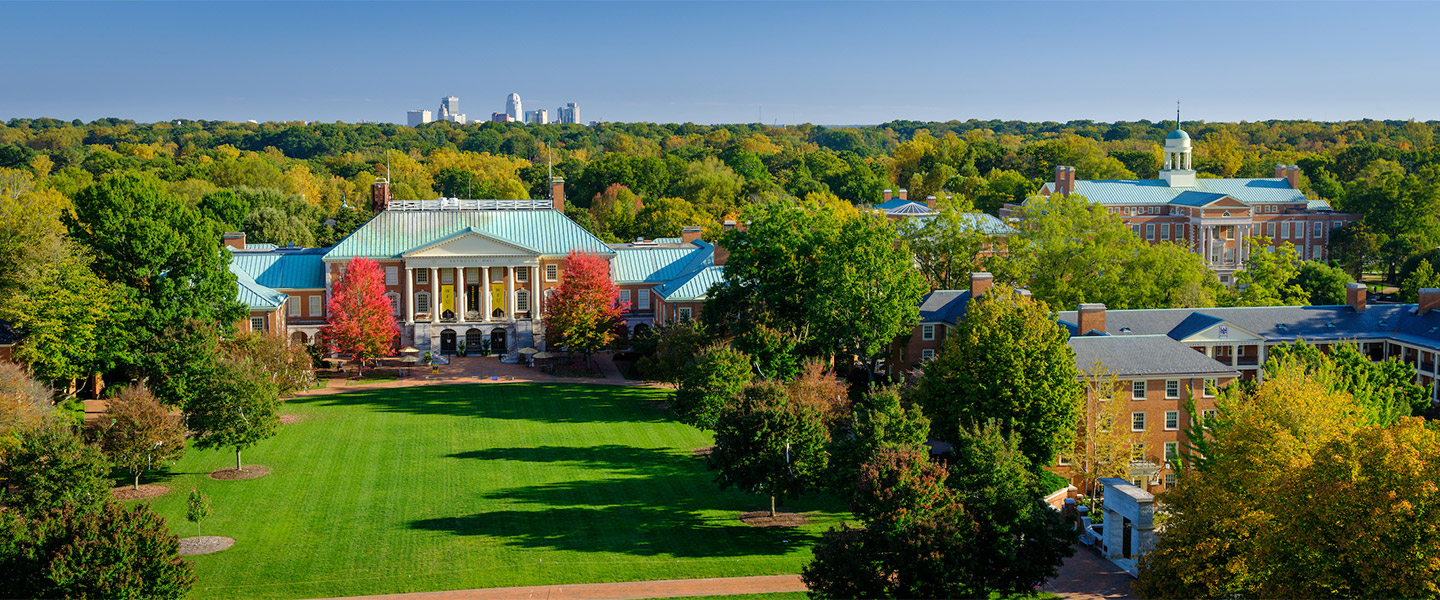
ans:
x=626 y=591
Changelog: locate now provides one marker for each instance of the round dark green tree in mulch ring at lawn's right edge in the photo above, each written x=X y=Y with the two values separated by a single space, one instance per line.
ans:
x=770 y=445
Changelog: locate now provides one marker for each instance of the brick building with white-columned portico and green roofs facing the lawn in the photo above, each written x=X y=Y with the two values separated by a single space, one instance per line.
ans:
x=474 y=271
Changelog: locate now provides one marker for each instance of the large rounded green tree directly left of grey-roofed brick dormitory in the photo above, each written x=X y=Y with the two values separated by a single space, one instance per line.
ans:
x=1007 y=362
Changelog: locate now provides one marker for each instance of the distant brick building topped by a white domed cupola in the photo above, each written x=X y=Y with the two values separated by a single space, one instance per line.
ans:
x=1220 y=219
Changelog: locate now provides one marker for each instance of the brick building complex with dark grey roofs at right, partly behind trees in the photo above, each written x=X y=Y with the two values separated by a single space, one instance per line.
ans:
x=1164 y=356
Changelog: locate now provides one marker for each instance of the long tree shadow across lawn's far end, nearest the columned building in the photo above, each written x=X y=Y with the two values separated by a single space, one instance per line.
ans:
x=538 y=402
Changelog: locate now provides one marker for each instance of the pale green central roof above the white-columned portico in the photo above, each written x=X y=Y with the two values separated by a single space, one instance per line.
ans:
x=397 y=232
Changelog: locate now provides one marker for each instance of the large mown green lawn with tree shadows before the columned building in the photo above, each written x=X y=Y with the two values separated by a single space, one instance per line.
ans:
x=457 y=487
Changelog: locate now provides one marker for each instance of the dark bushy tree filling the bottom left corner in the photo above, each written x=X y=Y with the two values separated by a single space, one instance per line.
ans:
x=110 y=552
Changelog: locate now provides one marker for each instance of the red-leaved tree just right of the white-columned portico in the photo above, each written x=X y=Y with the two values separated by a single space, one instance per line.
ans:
x=585 y=307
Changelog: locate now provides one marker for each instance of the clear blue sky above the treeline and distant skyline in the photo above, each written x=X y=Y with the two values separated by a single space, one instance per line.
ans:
x=724 y=63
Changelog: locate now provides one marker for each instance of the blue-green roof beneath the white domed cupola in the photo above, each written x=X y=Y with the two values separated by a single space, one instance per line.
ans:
x=1158 y=192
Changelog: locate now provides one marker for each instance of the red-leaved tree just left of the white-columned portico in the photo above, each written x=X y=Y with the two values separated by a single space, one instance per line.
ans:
x=362 y=322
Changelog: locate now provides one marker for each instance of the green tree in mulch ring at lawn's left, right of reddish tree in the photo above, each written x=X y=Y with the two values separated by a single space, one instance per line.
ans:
x=238 y=408
